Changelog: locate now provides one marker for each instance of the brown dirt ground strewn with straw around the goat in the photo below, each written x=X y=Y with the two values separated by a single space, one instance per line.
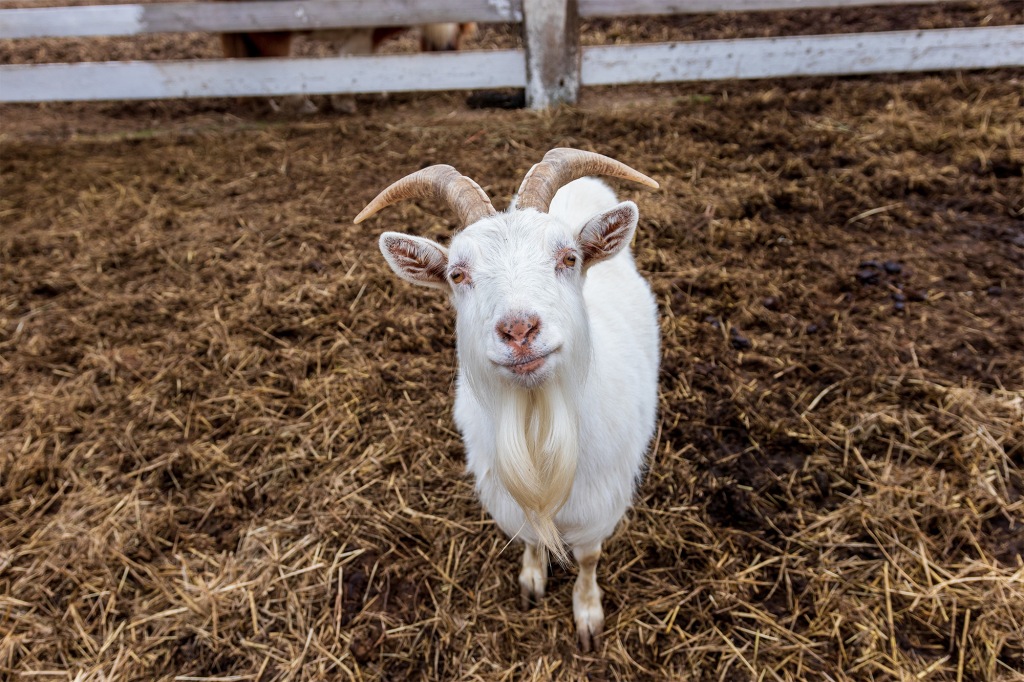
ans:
x=227 y=450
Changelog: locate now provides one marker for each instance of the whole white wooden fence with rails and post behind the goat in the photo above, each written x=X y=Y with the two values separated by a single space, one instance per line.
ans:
x=551 y=68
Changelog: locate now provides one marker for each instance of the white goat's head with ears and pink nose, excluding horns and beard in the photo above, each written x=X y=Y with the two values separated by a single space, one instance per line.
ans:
x=517 y=283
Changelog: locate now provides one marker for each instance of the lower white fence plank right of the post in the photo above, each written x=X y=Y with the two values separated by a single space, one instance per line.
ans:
x=806 y=56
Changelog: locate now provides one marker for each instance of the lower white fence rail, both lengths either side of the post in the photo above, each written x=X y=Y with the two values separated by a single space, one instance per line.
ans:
x=741 y=59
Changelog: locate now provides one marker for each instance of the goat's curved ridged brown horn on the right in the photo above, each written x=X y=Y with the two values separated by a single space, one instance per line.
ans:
x=562 y=166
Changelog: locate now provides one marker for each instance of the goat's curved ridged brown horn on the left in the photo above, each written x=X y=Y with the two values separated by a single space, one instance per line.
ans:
x=441 y=183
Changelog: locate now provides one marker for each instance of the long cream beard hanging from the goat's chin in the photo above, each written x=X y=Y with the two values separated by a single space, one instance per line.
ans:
x=538 y=448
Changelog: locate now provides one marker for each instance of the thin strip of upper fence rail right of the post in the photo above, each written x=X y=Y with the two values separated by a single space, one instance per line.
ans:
x=590 y=9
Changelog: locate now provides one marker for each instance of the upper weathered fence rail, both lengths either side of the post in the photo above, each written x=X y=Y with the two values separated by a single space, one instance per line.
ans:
x=313 y=15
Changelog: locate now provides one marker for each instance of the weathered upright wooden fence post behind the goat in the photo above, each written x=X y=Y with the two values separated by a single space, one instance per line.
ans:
x=551 y=32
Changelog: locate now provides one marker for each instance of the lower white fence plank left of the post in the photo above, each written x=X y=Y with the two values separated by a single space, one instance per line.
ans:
x=229 y=78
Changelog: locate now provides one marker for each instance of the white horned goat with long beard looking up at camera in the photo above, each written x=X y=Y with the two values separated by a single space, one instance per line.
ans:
x=559 y=351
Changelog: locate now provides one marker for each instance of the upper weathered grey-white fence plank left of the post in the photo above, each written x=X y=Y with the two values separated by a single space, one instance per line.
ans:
x=264 y=16
